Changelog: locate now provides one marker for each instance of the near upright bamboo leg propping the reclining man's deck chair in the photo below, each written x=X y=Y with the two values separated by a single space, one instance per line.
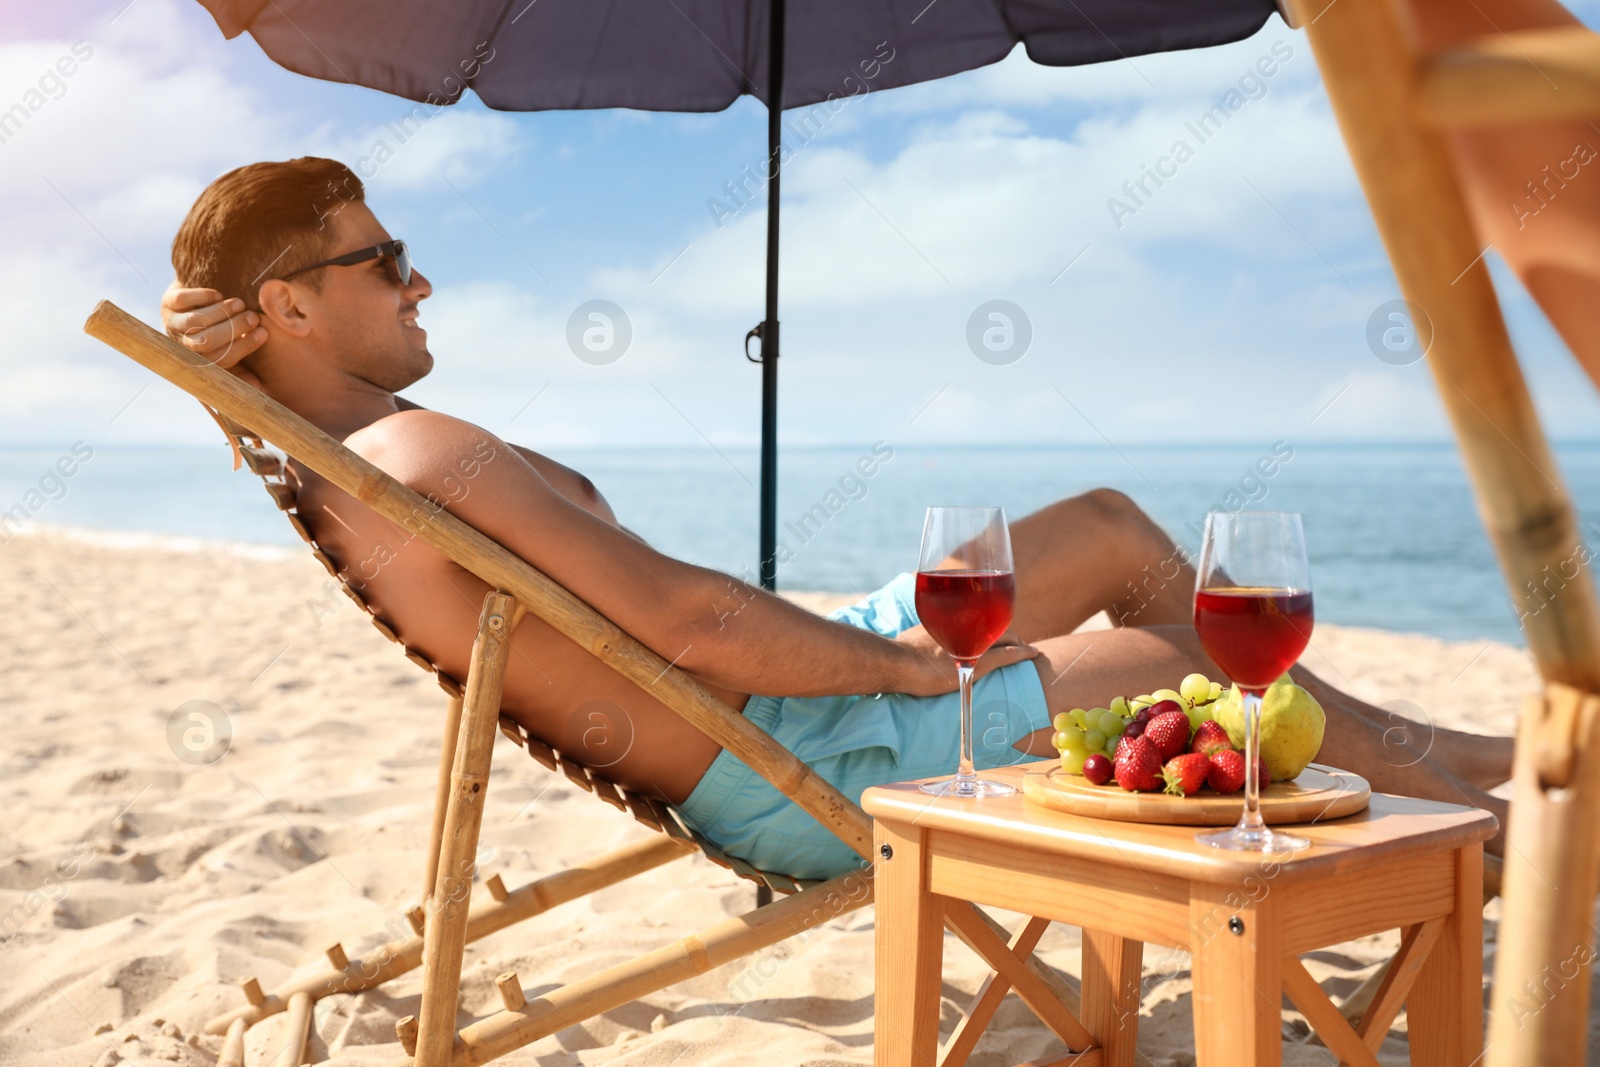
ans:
x=446 y=935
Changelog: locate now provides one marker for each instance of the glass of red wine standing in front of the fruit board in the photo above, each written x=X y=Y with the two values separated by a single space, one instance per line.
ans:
x=1254 y=617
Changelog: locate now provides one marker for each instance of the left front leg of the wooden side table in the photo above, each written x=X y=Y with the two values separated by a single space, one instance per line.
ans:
x=910 y=953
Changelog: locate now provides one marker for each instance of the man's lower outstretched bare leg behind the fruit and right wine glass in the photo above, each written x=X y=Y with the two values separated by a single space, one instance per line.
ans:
x=1090 y=669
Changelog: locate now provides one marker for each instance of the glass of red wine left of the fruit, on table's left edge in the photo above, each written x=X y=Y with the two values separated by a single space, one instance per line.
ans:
x=966 y=594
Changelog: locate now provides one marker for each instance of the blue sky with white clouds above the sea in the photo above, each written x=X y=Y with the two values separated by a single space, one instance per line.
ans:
x=1230 y=305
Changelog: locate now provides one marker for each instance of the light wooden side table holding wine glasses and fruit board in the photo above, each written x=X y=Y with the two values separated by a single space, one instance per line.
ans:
x=1246 y=919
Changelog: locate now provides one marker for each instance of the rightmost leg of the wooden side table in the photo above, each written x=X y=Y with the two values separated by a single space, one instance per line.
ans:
x=1446 y=1005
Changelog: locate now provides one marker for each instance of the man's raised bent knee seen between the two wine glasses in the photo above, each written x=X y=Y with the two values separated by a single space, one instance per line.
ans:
x=1097 y=553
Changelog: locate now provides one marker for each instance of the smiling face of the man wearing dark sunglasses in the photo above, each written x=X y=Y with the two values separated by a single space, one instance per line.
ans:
x=367 y=319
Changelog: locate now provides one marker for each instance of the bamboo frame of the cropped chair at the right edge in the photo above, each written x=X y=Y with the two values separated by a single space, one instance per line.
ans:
x=1393 y=105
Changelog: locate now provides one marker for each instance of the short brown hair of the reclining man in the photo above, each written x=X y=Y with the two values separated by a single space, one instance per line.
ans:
x=263 y=222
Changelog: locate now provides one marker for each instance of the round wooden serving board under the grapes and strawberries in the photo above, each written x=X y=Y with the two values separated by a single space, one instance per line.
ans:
x=1321 y=793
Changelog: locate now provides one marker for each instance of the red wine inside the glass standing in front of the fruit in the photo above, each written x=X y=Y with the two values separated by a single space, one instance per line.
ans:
x=1254 y=634
